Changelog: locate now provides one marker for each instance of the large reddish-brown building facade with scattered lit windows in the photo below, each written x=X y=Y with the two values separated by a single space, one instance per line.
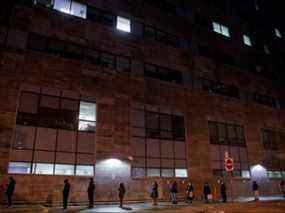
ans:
x=132 y=91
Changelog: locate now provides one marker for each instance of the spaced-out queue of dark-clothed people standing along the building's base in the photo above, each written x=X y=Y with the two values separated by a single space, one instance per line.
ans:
x=173 y=190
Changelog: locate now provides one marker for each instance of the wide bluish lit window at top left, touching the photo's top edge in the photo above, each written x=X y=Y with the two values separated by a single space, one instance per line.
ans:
x=71 y=7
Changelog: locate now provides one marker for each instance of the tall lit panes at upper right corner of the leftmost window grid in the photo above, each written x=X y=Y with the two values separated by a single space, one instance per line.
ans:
x=87 y=116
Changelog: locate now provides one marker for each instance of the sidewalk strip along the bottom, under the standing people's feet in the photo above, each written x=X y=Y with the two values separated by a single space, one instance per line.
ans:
x=197 y=206
